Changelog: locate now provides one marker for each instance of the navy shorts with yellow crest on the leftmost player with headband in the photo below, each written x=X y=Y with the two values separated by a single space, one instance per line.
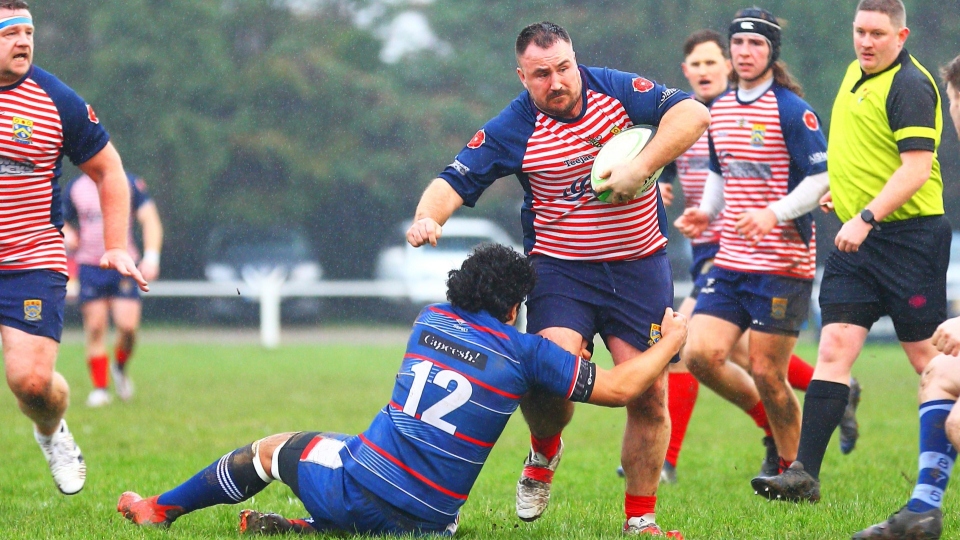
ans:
x=32 y=301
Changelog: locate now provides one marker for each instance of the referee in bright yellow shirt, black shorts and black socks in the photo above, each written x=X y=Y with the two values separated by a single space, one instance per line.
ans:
x=892 y=252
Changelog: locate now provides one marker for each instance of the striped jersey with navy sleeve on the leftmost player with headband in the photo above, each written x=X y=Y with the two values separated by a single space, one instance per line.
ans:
x=41 y=120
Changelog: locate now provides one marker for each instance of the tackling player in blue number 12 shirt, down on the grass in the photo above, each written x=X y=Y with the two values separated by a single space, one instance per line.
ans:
x=463 y=375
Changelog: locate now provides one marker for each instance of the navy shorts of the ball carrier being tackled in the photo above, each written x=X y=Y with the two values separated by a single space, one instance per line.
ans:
x=625 y=299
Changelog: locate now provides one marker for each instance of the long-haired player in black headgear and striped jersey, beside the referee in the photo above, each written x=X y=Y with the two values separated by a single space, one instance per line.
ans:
x=767 y=172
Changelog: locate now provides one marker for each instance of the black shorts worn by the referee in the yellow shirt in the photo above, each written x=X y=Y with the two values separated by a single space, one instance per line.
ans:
x=900 y=271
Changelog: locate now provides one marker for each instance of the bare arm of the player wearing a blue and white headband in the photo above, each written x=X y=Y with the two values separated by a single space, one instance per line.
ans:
x=106 y=170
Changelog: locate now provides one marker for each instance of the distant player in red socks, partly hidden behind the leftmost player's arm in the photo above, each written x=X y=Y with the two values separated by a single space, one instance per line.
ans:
x=106 y=294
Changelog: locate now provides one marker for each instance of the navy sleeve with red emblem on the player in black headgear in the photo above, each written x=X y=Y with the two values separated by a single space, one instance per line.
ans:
x=801 y=132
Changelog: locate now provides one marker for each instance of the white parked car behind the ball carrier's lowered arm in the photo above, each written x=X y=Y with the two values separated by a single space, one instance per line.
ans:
x=423 y=271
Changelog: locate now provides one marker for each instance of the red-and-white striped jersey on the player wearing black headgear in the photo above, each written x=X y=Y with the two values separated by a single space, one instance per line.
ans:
x=763 y=149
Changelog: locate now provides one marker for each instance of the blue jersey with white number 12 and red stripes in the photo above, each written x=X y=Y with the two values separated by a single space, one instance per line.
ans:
x=461 y=378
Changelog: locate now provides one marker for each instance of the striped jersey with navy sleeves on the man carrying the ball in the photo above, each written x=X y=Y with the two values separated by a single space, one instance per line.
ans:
x=552 y=158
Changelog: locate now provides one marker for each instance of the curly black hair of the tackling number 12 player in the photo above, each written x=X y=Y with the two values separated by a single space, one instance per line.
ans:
x=494 y=278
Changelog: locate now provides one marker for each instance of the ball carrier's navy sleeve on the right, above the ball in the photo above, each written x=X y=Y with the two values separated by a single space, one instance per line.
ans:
x=645 y=100
